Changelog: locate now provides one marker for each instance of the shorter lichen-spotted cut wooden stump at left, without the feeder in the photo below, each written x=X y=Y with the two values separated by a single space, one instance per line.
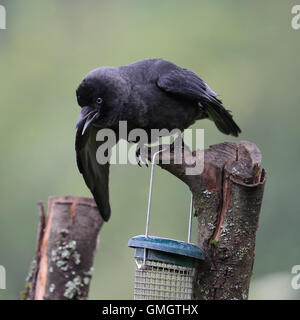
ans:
x=66 y=246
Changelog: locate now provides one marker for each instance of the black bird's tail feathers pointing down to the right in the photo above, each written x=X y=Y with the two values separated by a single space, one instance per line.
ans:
x=221 y=117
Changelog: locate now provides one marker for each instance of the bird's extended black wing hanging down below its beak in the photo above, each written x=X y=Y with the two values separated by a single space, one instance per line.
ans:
x=95 y=175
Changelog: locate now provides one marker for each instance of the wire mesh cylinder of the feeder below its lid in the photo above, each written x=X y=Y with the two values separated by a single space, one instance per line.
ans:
x=162 y=281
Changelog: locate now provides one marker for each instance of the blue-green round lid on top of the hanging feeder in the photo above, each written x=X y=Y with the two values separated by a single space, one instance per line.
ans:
x=166 y=250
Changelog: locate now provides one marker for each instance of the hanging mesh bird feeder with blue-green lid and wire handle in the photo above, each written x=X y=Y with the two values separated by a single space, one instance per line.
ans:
x=165 y=267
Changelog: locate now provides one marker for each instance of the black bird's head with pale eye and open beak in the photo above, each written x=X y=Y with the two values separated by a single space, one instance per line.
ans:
x=95 y=95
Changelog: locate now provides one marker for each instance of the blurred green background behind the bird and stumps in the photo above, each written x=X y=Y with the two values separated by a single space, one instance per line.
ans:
x=246 y=51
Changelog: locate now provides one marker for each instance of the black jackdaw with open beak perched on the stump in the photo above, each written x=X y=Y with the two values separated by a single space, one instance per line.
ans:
x=148 y=94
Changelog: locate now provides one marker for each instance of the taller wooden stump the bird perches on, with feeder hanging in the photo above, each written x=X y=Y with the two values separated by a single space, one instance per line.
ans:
x=227 y=198
